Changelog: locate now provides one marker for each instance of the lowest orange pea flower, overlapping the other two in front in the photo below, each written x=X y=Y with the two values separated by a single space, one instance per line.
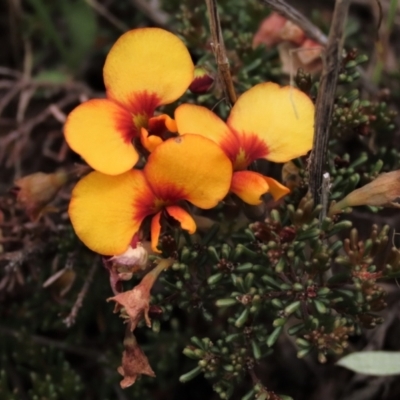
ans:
x=107 y=211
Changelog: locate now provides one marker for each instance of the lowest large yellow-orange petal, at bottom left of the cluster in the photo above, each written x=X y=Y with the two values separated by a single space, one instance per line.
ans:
x=106 y=211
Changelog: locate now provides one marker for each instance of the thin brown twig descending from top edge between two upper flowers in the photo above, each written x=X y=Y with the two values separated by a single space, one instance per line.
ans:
x=218 y=47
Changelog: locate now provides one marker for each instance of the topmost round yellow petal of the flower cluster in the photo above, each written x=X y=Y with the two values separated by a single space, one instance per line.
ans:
x=147 y=60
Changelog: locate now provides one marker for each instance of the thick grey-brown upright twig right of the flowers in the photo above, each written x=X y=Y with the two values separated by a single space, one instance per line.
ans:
x=325 y=99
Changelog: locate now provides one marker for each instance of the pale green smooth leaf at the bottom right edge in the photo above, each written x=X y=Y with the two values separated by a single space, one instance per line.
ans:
x=380 y=363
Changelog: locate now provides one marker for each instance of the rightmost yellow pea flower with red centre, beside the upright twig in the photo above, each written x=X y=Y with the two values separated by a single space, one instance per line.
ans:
x=267 y=121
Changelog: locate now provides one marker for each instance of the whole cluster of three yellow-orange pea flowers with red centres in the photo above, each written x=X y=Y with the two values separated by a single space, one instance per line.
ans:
x=150 y=167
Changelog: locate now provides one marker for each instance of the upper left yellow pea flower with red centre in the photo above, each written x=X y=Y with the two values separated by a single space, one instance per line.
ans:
x=145 y=68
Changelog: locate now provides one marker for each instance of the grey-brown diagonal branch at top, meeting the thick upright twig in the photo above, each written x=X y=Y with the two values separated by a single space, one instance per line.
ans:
x=299 y=19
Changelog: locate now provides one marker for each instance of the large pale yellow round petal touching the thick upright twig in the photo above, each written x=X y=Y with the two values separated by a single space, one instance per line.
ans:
x=281 y=118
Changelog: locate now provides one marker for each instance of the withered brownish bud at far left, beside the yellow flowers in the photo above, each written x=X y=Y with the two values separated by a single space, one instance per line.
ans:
x=35 y=191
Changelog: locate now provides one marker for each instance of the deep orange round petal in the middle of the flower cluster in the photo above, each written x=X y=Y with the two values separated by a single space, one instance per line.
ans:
x=189 y=167
